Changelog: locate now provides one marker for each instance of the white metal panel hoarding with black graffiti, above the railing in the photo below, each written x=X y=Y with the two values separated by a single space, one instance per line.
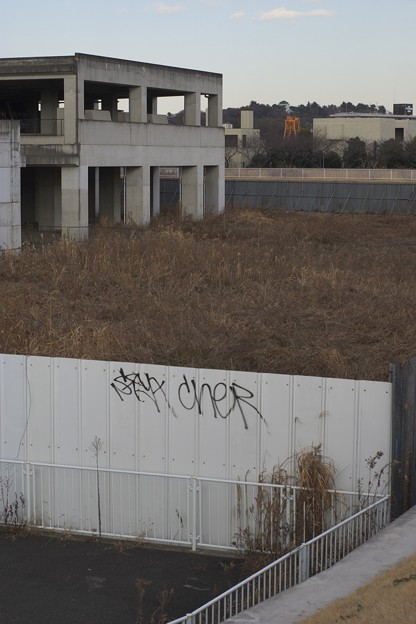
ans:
x=209 y=423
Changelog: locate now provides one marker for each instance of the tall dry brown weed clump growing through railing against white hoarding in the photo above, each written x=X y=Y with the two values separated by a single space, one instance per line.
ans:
x=287 y=508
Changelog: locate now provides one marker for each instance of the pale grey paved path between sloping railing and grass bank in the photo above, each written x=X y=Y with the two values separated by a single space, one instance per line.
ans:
x=392 y=545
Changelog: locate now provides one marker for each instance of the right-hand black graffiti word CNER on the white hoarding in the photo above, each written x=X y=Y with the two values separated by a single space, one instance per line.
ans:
x=189 y=397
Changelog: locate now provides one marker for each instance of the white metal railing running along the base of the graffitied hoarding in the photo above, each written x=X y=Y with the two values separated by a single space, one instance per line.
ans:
x=172 y=509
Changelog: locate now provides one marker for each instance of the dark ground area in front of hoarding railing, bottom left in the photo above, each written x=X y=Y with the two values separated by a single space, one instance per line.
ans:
x=48 y=580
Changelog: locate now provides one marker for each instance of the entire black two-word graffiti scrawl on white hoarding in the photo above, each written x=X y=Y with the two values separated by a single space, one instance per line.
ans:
x=219 y=400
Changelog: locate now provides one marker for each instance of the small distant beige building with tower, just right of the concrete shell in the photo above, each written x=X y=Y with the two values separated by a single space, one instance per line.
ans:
x=241 y=143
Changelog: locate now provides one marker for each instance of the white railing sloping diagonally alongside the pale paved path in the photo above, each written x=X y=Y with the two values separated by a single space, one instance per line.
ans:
x=312 y=557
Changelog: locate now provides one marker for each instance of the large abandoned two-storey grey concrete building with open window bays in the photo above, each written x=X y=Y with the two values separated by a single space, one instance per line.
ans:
x=79 y=148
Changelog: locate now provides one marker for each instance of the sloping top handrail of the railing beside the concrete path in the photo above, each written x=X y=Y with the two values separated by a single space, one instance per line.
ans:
x=275 y=563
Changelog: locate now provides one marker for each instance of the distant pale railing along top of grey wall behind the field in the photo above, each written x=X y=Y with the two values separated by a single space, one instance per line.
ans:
x=391 y=175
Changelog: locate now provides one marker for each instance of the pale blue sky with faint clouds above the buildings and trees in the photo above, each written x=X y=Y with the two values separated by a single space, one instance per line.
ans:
x=325 y=51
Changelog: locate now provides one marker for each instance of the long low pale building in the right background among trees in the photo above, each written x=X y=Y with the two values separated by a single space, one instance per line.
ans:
x=368 y=127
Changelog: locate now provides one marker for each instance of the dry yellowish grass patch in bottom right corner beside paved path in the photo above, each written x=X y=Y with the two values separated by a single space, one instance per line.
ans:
x=391 y=597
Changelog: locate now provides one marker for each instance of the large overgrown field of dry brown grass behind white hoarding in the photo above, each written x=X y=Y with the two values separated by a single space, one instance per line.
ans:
x=307 y=294
